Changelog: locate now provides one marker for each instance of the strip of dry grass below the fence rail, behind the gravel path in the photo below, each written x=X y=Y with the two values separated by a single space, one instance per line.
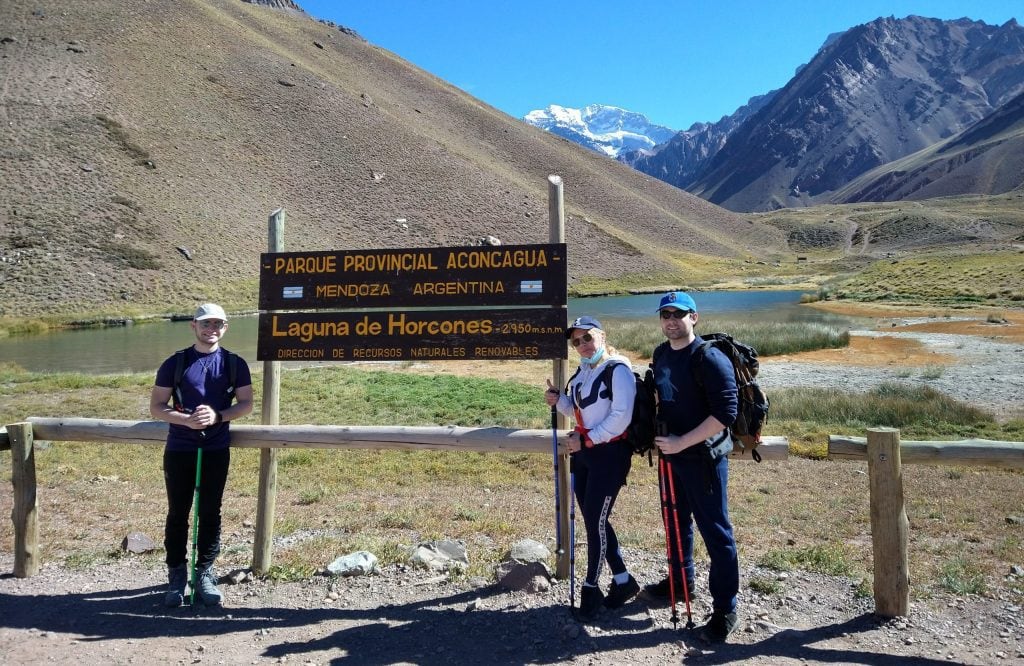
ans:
x=331 y=503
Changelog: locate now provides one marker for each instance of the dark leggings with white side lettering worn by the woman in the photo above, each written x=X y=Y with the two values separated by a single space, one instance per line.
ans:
x=599 y=475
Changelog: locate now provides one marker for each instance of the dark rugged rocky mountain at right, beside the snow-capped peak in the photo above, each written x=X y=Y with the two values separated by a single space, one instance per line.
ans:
x=873 y=96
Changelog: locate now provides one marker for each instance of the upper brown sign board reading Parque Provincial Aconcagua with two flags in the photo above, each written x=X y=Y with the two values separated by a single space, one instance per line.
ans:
x=505 y=275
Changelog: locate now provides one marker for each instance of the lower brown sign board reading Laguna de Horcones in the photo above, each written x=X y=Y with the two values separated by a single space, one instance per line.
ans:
x=412 y=336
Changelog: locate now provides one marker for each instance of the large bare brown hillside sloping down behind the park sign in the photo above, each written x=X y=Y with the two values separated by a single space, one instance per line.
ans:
x=133 y=131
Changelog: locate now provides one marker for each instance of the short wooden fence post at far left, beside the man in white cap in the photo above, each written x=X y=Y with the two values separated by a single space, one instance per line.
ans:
x=25 y=514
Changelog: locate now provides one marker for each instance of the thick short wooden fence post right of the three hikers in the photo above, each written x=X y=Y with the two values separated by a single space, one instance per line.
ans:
x=889 y=524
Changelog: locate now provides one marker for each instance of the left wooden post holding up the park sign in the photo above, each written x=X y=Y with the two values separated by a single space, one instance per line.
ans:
x=267 y=503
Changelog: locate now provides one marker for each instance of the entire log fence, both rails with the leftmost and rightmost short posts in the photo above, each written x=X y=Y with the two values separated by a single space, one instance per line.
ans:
x=882 y=448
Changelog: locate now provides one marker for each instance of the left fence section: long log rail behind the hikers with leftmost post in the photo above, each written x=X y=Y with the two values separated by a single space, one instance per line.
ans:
x=20 y=437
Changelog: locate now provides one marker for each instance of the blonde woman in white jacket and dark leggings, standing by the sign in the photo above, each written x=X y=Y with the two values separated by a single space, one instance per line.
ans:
x=600 y=398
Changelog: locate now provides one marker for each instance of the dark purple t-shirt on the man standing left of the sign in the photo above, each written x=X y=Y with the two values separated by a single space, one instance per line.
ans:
x=206 y=382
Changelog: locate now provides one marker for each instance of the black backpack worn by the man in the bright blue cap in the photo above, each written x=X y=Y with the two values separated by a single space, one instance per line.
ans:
x=752 y=413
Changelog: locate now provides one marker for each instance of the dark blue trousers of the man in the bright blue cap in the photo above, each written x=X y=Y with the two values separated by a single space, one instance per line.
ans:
x=701 y=490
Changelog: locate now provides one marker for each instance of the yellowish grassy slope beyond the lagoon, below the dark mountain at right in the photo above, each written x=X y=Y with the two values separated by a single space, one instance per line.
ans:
x=958 y=252
